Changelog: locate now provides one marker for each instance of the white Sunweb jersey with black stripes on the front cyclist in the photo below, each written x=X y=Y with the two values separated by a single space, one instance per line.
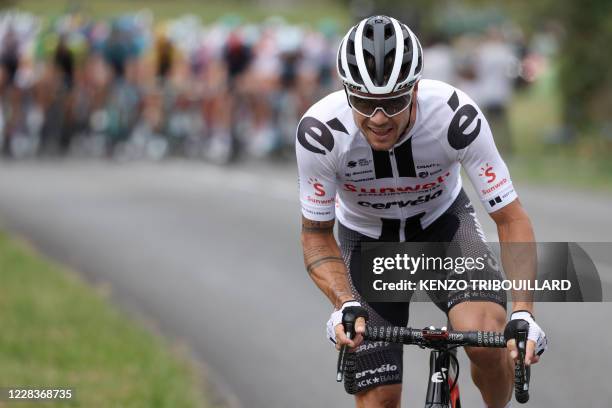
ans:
x=381 y=193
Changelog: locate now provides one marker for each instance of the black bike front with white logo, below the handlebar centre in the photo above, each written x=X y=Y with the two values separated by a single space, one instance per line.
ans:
x=441 y=376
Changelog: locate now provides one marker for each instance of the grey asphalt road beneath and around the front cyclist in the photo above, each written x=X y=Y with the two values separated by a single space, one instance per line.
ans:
x=211 y=256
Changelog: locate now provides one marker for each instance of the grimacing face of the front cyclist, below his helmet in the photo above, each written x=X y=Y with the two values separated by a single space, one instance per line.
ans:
x=381 y=131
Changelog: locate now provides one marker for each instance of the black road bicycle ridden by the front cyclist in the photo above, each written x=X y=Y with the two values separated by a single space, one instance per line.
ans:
x=442 y=388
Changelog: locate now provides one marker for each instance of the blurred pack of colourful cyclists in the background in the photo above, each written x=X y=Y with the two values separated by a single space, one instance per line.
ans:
x=133 y=88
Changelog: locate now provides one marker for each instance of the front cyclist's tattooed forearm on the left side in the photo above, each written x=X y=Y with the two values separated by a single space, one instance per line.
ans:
x=324 y=262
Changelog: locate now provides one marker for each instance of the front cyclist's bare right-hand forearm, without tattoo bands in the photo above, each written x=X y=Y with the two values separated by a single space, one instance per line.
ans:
x=519 y=256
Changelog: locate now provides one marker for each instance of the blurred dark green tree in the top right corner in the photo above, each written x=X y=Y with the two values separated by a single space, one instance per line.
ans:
x=585 y=77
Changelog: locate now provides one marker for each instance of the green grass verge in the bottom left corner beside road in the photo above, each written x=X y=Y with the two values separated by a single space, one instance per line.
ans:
x=55 y=331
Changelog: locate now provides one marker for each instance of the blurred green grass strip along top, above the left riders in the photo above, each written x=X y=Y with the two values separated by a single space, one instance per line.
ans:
x=208 y=10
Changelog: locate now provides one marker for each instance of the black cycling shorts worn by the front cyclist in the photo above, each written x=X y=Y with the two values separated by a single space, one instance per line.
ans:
x=380 y=363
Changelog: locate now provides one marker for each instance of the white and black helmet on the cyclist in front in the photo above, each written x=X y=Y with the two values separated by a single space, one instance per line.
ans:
x=380 y=55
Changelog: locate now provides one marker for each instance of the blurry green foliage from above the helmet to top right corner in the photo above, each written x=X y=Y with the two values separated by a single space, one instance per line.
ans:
x=585 y=78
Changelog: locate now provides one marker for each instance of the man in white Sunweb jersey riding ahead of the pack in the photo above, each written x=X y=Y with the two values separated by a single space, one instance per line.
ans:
x=384 y=156
